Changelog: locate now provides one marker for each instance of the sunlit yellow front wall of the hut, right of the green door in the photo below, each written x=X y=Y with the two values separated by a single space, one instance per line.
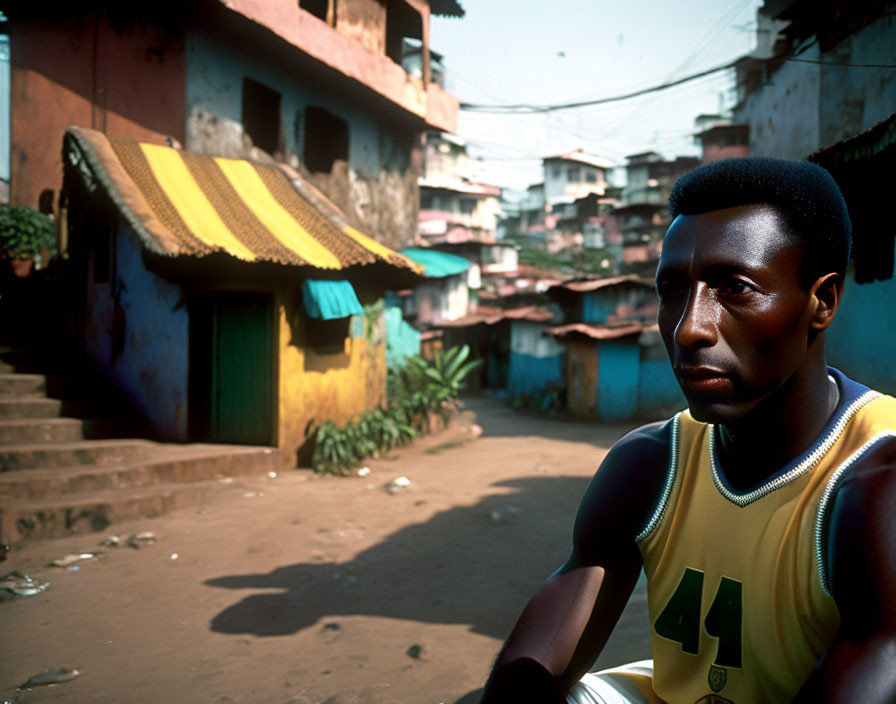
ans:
x=329 y=385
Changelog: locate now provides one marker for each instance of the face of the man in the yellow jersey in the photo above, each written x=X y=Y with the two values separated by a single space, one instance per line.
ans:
x=734 y=319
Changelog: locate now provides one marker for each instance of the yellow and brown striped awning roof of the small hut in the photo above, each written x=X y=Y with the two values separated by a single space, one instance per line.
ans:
x=181 y=203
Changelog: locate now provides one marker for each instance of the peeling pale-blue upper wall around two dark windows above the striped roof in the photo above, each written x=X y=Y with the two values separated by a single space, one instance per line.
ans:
x=376 y=189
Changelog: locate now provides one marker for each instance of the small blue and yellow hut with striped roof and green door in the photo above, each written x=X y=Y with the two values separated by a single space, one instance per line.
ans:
x=224 y=303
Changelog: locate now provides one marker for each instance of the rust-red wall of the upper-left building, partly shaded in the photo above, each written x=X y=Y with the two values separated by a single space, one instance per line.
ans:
x=84 y=72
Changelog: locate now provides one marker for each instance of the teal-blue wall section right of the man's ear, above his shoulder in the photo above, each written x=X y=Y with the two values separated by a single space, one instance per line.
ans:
x=862 y=339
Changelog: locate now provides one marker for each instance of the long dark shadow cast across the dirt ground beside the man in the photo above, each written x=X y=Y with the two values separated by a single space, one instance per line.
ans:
x=478 y=572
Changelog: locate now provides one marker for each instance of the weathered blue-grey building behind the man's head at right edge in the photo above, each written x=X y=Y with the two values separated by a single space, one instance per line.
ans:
x=822 y=84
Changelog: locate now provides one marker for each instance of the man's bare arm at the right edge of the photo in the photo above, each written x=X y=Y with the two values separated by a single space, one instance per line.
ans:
x=860 y=665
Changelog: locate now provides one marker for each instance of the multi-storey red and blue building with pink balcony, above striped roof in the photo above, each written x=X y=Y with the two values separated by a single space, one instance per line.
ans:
x=320 y=86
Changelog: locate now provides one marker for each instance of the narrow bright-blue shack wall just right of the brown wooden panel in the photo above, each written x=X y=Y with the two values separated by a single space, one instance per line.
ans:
x=618 y=365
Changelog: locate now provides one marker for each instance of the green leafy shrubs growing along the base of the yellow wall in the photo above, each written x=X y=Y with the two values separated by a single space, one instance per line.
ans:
x=414 y=391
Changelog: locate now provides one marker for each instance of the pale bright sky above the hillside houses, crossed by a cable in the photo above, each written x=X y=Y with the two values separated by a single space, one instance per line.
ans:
x=505 y=51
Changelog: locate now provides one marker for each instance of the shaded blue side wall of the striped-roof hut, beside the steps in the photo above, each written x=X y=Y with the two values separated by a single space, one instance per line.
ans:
x=137 y=332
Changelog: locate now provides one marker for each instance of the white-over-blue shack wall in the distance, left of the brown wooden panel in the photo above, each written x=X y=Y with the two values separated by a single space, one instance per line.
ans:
x=537 y=362
